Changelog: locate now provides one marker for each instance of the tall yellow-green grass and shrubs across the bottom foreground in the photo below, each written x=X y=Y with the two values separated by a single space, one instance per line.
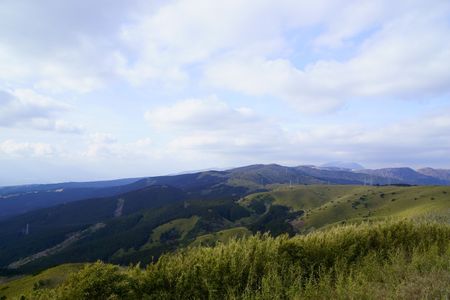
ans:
x=390 y=259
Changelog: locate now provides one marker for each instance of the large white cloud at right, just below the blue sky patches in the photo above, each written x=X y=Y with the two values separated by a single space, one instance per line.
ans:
x=409 y=59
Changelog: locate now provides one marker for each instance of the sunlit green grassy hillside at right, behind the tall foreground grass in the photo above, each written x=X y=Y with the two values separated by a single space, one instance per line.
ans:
x=325 y=205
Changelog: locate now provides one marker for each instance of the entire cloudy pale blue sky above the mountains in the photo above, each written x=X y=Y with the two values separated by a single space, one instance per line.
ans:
x=103 y=89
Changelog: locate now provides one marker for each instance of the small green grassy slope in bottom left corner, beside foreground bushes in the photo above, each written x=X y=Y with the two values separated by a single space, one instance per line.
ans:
x=49 y=278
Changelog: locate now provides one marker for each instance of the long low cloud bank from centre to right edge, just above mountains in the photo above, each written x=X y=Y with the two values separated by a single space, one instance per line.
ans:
x=234 y=138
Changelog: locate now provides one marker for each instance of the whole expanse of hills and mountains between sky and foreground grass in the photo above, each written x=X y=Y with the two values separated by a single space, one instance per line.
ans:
x=131 y=220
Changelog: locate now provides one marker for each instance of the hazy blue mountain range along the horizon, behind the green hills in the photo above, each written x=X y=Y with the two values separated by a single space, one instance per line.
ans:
x=21 y=199
